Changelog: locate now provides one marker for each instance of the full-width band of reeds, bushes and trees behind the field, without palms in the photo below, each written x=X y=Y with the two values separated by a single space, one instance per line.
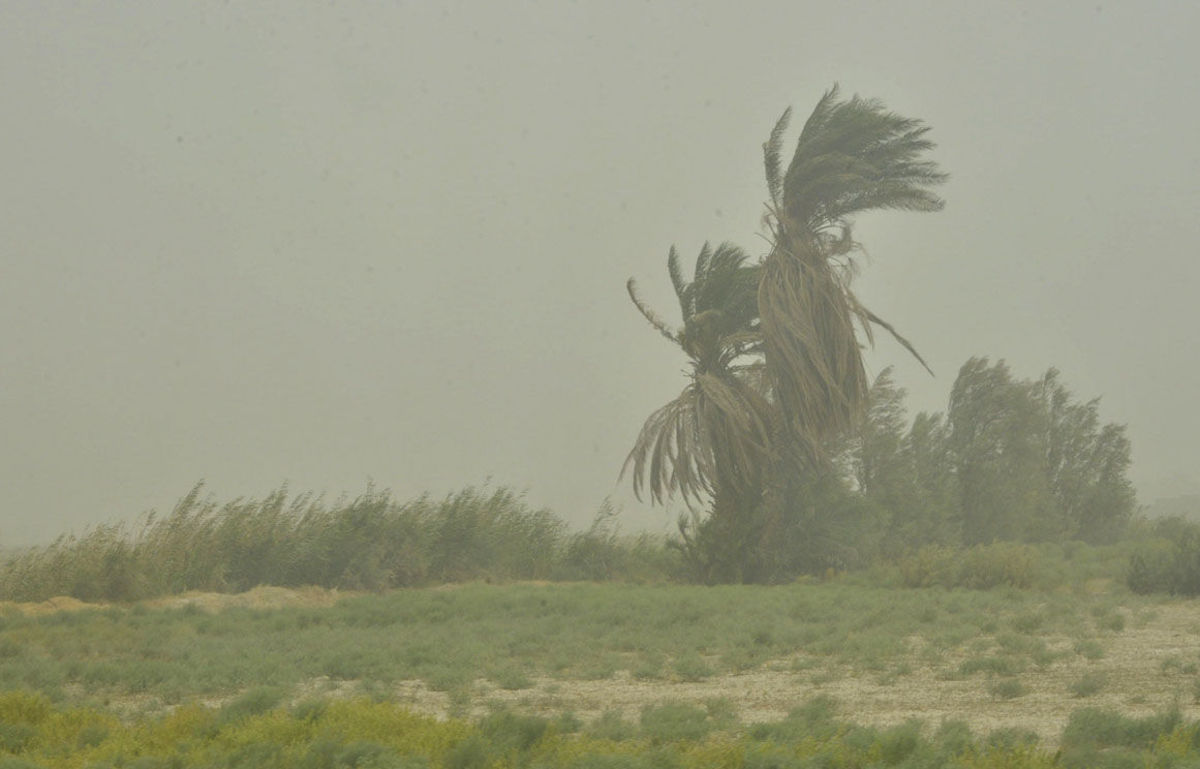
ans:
x=987 y=494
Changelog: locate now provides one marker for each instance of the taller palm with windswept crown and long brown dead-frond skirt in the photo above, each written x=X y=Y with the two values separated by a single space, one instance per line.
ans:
x=853 y=157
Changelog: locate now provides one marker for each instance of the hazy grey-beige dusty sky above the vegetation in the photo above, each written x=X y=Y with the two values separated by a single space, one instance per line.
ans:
x=271 y=242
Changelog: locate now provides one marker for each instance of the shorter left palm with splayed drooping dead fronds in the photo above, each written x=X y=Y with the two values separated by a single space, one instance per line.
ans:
x=713 y=441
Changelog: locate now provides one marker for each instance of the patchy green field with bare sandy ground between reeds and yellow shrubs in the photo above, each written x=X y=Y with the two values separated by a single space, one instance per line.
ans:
x=1001 y=662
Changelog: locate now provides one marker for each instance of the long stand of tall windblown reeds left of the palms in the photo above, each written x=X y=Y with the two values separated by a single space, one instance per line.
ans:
x=370 y=543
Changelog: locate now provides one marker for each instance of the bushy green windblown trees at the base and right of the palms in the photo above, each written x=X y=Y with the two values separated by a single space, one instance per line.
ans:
x=1009 y=461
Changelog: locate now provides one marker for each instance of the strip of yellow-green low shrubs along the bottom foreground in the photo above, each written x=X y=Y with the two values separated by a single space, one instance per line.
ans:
x=359 y=734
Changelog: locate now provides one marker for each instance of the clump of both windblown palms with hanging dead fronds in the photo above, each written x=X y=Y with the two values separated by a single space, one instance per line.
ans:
x=753 y=436
